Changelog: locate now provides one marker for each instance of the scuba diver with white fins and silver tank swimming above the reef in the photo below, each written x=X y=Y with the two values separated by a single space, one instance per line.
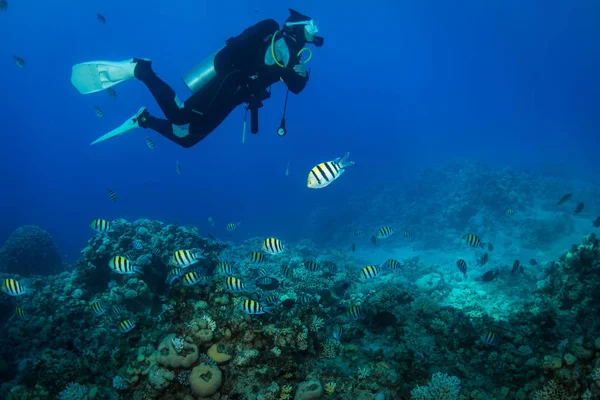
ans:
x=240 y=72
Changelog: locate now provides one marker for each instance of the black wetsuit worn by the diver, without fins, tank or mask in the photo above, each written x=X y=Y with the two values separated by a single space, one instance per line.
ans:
x=241 y=77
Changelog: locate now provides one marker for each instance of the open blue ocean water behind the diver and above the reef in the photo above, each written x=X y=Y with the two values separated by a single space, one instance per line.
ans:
x=401 y=86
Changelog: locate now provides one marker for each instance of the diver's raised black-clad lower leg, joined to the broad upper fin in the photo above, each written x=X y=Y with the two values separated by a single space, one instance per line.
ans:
x=163 y=94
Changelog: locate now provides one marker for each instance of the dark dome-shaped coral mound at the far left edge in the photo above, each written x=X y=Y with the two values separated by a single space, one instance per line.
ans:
x=30 y=250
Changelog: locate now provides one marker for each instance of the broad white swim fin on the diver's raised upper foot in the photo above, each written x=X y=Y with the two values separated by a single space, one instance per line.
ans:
x=95 y=76
